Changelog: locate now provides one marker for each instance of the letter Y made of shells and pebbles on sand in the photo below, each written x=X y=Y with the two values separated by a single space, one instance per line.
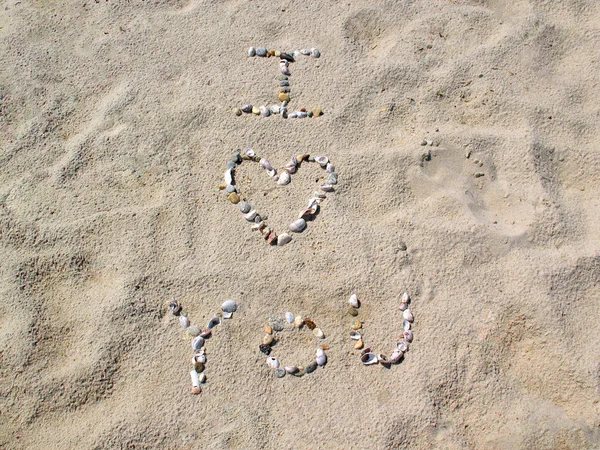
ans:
x=198 y=338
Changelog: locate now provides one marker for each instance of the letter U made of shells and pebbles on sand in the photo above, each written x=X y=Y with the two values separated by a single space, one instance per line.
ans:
x=367 y=357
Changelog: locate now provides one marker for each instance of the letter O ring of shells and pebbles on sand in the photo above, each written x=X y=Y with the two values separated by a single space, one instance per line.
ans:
x=278 y=325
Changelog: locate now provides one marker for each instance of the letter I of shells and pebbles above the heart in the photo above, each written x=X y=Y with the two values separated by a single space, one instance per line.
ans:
x=285 y=58
